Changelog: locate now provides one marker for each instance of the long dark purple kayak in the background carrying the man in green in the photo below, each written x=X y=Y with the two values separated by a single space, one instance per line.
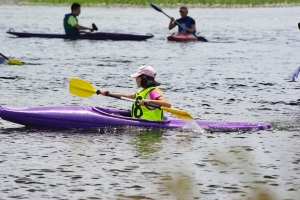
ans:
x=91 y=36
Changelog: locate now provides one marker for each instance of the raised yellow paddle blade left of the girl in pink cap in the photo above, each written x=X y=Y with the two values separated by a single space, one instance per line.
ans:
x=81 y=88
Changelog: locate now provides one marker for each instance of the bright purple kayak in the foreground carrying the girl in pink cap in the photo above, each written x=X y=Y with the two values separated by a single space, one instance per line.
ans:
x=87 y=117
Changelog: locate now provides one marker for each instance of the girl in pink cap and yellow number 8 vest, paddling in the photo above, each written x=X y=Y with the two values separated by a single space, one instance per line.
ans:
x=149 y=93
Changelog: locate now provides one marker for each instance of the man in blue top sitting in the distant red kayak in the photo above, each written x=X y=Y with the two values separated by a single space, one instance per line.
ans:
x=187 y=23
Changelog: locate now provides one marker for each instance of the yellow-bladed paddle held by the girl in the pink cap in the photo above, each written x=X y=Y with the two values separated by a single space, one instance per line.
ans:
x=84 y=89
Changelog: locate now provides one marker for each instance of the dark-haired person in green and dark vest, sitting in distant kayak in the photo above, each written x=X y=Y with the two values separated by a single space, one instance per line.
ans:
x=71 y=22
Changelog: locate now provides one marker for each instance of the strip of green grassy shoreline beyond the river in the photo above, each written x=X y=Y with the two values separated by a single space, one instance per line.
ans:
x=162 y=3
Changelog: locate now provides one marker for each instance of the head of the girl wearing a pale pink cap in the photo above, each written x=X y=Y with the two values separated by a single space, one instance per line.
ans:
x=144 y=77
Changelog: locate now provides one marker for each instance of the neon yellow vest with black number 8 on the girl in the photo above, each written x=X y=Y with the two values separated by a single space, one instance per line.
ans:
x=144 y=112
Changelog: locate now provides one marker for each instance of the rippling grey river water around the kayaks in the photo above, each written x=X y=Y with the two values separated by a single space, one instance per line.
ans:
x=242 y=74
